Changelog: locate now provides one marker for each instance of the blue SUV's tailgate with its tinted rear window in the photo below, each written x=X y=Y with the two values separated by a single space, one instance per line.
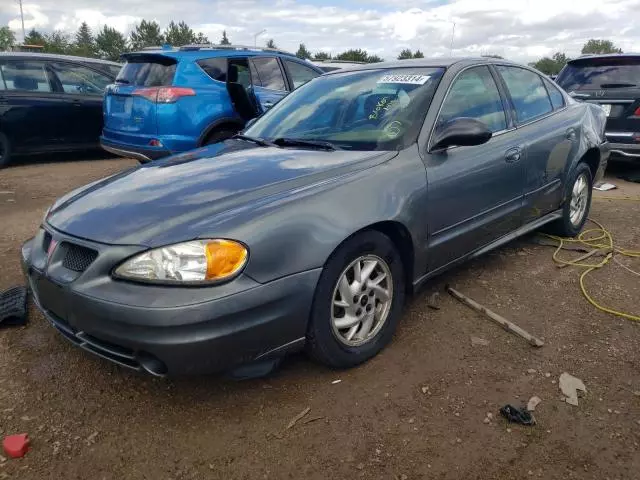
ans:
x=126 y=108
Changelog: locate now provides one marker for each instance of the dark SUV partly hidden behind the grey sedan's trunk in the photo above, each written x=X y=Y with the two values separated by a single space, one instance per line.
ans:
x=613 y=82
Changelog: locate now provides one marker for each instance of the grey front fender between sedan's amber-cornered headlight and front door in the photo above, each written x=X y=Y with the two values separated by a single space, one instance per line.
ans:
x=299 y=232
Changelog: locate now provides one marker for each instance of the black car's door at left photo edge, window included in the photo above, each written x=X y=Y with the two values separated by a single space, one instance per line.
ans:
x=29 y=110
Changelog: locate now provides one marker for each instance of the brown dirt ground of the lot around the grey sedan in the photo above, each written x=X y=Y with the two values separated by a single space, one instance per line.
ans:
x=417 y=411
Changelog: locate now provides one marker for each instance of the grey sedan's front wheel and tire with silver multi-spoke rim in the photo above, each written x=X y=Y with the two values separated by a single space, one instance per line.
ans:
x=358 y=301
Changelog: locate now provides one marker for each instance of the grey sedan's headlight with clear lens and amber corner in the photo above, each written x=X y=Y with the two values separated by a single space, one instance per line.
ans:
x=199 y=261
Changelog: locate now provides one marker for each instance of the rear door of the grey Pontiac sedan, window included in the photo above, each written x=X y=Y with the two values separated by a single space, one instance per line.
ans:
x=549 y=133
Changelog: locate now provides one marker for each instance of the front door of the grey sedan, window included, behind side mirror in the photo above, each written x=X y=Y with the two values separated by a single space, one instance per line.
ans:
x=475 y=193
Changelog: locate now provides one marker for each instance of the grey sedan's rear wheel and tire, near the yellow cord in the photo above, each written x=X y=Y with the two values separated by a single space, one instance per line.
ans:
x=577 y=204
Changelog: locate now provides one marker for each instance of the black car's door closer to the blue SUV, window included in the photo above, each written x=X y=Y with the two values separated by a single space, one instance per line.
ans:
x=82 y=89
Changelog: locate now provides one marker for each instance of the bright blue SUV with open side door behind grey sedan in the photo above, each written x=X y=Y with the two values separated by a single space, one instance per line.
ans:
x=169 y=100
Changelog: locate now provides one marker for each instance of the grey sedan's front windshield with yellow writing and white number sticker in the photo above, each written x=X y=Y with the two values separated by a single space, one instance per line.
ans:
x=380 y=109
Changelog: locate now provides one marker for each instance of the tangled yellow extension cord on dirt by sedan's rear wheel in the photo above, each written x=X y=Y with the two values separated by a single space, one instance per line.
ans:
x=602 y=240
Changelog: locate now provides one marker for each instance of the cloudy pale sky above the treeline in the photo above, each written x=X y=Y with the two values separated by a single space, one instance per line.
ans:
x=521 y=30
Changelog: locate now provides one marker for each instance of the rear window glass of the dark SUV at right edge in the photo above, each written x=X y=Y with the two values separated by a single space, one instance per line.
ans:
x=600 y=73
